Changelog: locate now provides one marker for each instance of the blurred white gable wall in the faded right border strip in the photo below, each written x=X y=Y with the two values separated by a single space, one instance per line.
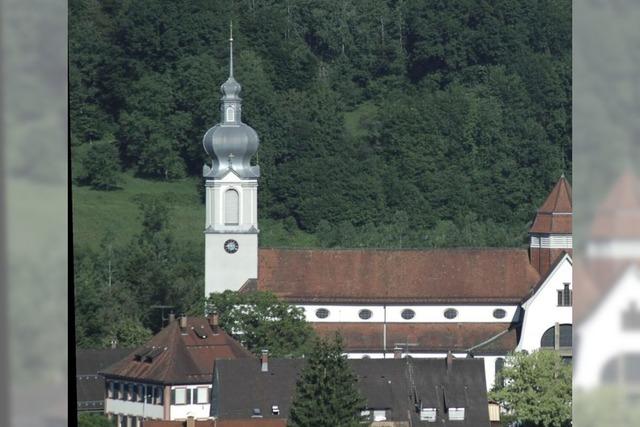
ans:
x=601 y=337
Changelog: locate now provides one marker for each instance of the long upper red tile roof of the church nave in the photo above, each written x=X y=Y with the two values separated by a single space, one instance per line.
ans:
x=417 y=276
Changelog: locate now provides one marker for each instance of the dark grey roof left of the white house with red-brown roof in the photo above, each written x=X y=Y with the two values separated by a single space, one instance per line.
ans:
x=90 y=385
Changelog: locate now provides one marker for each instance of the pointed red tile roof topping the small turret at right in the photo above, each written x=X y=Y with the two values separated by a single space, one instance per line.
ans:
x=555 y=214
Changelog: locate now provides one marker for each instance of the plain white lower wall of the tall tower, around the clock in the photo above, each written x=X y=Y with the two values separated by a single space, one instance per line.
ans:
x=229 y=271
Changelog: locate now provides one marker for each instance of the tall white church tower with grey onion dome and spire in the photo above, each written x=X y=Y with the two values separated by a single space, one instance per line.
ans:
x=231 y=188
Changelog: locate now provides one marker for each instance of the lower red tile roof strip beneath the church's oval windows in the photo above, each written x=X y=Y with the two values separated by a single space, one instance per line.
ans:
x=423 y=337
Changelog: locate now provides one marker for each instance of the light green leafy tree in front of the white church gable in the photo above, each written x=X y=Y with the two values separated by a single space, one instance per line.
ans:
x=536 y=389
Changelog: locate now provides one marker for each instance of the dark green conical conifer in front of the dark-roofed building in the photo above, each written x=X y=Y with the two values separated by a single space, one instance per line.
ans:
x=326 y=393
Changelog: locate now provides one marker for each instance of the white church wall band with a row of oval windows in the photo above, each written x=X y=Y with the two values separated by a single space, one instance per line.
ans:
x=424 y=313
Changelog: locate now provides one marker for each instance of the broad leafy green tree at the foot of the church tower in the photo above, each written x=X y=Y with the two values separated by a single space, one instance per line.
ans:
x=260 y=321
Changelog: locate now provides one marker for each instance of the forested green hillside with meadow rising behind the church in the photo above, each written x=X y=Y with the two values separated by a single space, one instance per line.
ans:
x=384 y=123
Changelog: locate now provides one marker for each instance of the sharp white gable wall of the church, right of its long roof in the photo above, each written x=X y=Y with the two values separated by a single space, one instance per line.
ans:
x=541 y=311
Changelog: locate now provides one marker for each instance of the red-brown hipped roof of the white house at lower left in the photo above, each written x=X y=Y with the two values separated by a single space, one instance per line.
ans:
x=179 y=356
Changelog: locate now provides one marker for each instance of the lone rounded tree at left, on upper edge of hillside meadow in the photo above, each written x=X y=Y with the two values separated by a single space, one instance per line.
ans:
x=101 y=166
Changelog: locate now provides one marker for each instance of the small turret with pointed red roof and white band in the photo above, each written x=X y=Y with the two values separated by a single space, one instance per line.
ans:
x=550 y=235
